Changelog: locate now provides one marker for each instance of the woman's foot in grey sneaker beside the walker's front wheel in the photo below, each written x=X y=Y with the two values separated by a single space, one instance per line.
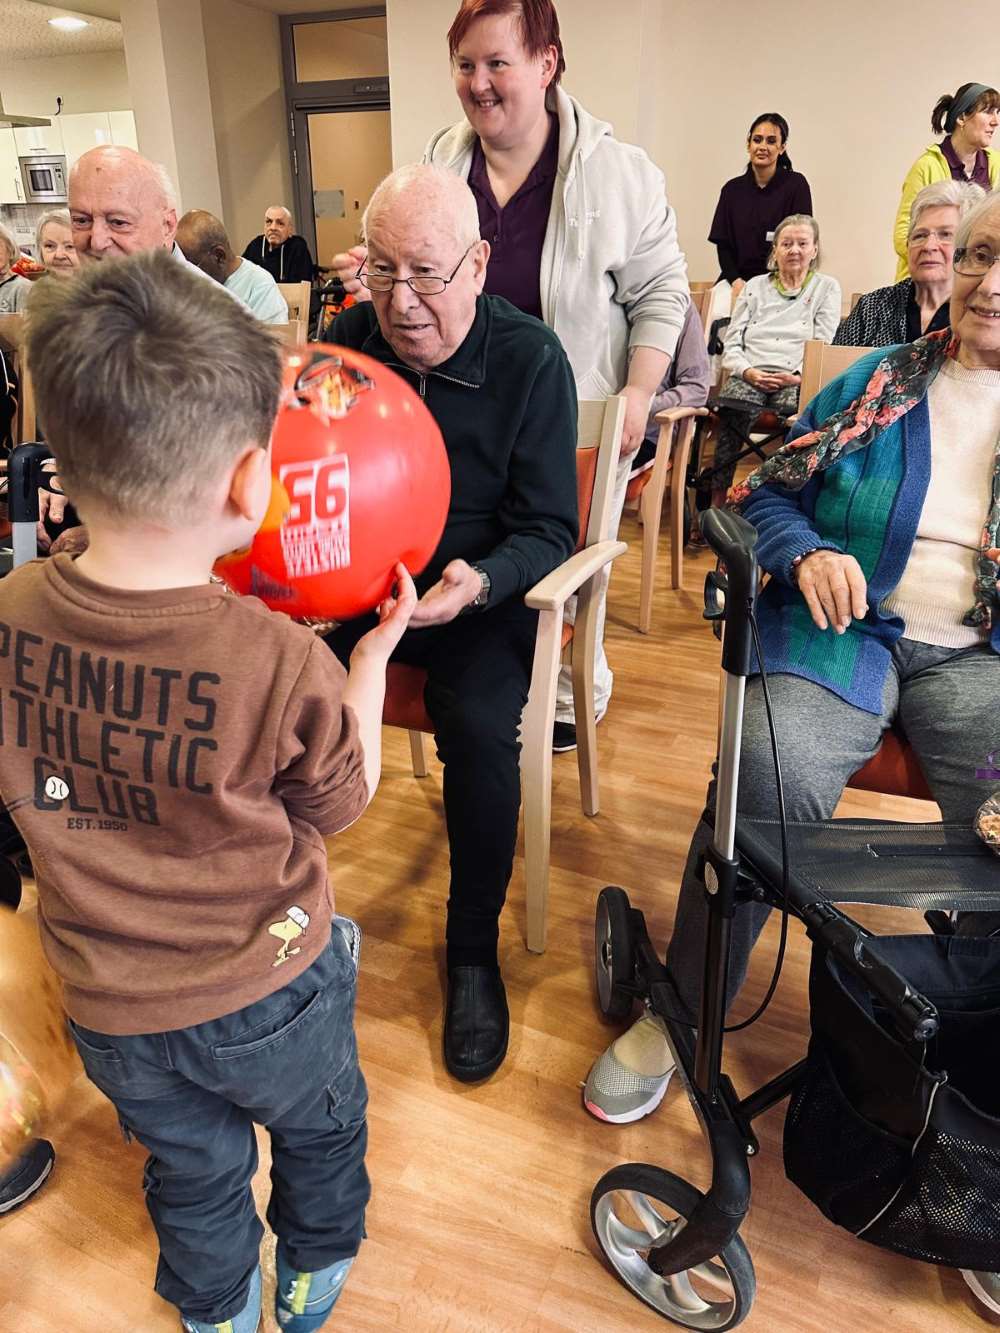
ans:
x=629 y=1080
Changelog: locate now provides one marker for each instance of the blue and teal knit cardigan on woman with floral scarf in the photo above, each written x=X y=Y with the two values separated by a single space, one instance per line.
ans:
x=869 y=505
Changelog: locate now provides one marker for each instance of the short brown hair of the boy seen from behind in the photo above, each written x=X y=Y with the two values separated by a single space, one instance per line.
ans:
x=150 y=382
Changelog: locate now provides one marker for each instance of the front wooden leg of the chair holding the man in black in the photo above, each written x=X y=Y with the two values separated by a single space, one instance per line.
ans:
x=537 y=774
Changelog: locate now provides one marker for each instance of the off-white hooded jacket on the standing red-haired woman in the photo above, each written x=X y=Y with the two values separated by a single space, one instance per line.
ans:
x=613 y=275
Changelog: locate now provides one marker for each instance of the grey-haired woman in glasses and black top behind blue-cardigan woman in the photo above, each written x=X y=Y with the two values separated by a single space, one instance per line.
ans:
x=921 y=303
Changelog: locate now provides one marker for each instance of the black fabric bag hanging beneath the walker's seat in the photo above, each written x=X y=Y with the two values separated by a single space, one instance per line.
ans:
x=901 y=1142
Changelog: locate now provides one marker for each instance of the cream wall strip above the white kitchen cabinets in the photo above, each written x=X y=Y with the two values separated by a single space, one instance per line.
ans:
x=86 y=83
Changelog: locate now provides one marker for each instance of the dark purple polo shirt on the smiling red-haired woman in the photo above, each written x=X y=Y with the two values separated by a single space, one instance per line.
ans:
x=517 y=233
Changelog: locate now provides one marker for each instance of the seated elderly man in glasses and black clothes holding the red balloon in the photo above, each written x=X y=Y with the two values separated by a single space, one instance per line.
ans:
x=501 y=389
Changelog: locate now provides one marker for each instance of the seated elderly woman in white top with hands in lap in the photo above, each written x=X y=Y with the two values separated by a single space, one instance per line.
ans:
x=775 y=317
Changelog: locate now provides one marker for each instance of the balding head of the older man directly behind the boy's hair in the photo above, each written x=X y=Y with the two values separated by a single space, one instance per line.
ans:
x=121 y=203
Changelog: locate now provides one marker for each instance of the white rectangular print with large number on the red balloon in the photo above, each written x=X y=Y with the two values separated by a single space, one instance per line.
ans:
x=317 y=533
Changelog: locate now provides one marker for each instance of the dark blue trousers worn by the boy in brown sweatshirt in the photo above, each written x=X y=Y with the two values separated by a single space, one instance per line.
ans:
x=193 y=1096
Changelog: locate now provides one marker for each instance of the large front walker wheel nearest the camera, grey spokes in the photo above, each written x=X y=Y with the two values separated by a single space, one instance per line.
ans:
x=635 y=1207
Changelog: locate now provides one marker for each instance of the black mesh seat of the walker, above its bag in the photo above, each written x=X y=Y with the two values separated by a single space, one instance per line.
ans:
x=877 y=862
